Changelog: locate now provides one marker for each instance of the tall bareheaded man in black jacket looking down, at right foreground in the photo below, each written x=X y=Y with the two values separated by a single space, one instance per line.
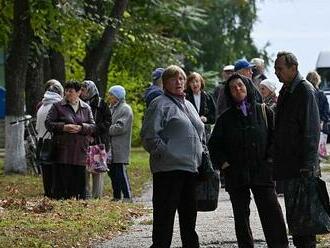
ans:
x=297 y=131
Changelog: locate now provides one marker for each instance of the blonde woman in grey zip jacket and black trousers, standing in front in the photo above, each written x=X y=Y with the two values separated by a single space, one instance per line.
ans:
x=172 y=133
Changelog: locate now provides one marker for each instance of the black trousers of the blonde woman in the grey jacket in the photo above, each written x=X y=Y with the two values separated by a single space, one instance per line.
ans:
x=174 y=190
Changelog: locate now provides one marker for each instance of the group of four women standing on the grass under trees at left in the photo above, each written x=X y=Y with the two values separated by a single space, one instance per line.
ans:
x=74 y=117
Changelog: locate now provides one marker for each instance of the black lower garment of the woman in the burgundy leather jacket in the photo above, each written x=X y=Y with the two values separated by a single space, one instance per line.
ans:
x=69 y=181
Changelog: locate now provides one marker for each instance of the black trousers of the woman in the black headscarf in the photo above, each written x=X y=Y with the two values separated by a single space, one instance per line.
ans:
x=270 y=214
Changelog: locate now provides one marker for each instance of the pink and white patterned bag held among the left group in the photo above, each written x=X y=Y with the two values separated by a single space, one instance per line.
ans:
x=96 y=161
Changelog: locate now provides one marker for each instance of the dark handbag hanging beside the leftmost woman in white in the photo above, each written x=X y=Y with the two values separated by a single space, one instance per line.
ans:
x=44 y=151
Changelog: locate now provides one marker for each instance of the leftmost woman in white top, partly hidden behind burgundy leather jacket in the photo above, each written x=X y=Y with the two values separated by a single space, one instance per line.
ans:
x=53 y=94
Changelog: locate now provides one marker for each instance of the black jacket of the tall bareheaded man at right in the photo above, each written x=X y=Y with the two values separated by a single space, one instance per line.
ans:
x=297 y=129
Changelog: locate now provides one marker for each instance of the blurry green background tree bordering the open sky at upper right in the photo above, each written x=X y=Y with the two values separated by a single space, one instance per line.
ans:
x=226 y=35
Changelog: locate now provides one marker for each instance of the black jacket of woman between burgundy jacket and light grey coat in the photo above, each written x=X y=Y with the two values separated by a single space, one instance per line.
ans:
x=102 y=117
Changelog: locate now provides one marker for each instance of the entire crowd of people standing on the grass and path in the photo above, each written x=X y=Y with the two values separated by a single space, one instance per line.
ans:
x=258 y=141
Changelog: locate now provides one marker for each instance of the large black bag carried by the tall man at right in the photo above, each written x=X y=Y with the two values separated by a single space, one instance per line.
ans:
x=307 y=206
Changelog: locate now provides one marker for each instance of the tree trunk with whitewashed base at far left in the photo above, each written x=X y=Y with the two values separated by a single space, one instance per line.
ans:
x=15 y=76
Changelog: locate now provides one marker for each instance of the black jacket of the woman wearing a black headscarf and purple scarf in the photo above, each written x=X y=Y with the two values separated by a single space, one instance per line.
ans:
x=244 y=142
